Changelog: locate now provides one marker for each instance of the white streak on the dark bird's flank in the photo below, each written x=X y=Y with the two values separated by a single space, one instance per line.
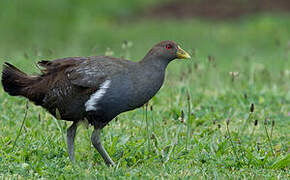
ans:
x=93 y=101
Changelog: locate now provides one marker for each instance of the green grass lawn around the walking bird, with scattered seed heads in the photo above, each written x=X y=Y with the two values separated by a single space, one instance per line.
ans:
x=223 y=114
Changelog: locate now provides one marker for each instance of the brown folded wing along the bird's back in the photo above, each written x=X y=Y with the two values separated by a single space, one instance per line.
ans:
x=87 y=72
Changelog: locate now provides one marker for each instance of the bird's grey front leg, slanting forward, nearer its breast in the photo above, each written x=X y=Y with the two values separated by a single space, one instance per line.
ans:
x=96 y=140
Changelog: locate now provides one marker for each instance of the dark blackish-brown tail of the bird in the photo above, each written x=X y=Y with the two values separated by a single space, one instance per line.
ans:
x=17 y=83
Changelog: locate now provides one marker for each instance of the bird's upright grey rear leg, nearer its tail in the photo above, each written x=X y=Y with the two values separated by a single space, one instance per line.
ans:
x=71 y=133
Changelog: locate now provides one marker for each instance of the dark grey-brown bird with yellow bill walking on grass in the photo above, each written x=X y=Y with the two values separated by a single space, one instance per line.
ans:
x=95 y=89
